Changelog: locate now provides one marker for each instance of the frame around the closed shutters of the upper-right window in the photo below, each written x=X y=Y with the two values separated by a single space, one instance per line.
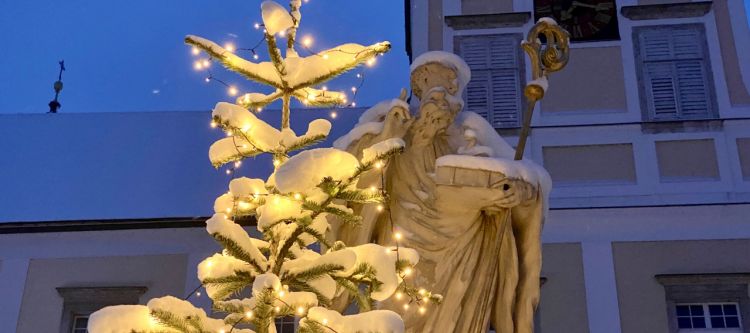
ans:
x=645 y=99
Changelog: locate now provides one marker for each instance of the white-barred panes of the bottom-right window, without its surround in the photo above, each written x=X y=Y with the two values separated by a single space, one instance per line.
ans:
x=708 y=315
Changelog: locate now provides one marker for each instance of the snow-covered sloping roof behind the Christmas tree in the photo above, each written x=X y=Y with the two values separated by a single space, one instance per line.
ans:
x=88 y=166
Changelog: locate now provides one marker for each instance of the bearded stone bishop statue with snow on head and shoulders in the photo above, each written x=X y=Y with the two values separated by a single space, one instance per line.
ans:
x=457 y=197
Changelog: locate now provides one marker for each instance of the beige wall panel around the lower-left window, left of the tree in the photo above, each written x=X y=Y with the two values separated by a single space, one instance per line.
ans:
x=42 y=306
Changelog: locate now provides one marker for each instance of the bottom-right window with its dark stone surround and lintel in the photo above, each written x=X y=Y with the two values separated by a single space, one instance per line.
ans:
x=707 y=302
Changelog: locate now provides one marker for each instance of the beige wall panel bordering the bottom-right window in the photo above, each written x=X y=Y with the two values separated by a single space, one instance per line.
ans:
x=643 y=307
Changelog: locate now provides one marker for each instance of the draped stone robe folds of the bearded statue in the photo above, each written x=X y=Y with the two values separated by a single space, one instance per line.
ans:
x=485 y=263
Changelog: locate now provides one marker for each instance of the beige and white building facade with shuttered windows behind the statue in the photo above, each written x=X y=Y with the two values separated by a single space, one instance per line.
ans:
x=646 y=134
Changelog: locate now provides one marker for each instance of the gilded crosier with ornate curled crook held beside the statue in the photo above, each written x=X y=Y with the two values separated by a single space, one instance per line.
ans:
x=552 y=58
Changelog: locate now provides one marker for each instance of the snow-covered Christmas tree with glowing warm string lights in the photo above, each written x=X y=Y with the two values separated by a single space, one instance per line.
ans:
x=254 y=281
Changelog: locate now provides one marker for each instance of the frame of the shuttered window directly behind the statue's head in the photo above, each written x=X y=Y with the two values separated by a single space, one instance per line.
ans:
x=520 y=70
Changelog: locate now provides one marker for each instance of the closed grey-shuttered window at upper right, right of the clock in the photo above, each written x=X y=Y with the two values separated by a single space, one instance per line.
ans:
x=674 y=72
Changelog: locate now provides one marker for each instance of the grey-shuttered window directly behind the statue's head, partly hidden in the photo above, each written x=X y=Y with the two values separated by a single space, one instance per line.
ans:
x=497 y=75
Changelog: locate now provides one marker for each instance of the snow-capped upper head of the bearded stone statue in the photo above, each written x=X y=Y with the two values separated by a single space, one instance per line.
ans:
x=439 y=69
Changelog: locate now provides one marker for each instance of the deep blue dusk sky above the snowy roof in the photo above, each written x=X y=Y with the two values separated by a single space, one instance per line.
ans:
x=130 y=55
